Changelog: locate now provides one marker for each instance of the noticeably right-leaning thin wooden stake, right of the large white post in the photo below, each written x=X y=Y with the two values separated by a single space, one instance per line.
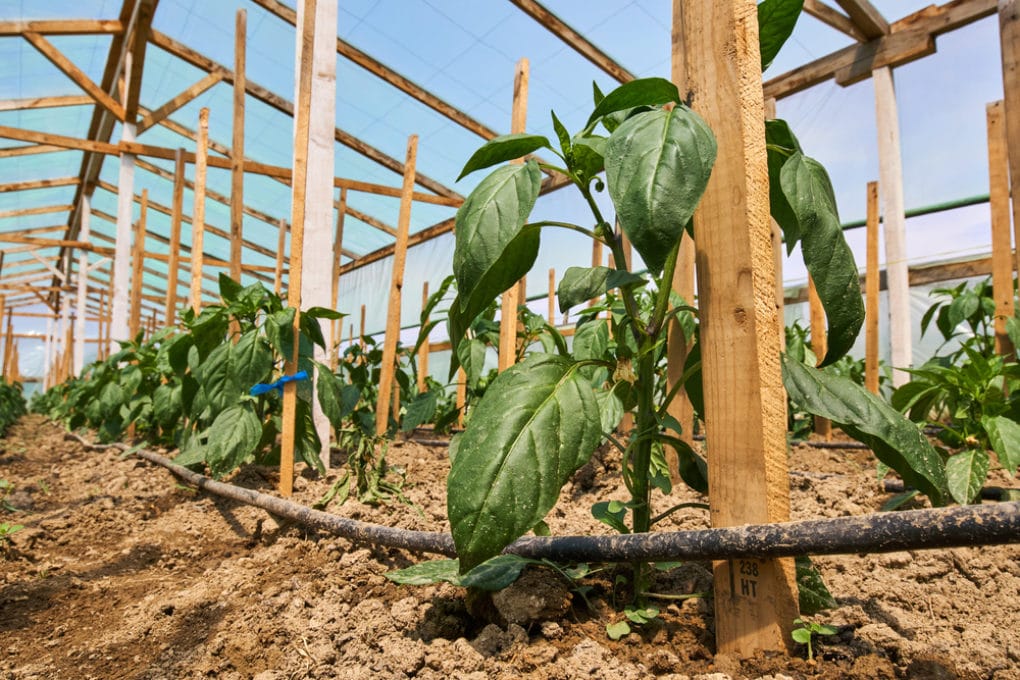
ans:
x=396 y=285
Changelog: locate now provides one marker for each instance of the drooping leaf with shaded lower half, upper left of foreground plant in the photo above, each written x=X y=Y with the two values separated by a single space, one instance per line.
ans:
x=492 y=251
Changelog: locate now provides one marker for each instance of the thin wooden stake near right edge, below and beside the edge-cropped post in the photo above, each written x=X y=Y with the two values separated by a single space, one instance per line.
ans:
x=1002 y=251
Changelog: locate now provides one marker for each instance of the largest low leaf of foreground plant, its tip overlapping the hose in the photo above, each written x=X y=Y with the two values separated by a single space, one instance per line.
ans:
x=536 y=426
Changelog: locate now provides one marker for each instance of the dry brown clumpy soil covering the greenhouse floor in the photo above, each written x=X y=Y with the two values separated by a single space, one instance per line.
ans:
x=121 y=572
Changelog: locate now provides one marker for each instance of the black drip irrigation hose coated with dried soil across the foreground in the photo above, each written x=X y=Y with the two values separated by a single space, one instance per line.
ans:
x=886 y=533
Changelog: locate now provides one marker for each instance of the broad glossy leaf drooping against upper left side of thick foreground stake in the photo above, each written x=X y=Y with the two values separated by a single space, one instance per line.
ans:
x=657 y=167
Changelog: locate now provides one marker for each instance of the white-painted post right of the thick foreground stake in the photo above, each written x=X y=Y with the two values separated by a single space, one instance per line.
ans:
x=894 y=224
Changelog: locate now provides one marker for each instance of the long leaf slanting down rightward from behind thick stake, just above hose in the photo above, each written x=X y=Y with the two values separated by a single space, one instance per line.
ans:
x=895 y=441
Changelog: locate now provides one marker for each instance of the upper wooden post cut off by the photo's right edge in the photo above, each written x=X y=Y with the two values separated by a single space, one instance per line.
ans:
x=1009 y=31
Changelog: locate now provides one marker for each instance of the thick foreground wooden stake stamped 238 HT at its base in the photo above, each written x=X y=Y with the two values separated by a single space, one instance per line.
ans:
x=756 y=601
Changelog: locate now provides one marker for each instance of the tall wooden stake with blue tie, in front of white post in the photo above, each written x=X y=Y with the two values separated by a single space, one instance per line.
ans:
x=302 y=117
